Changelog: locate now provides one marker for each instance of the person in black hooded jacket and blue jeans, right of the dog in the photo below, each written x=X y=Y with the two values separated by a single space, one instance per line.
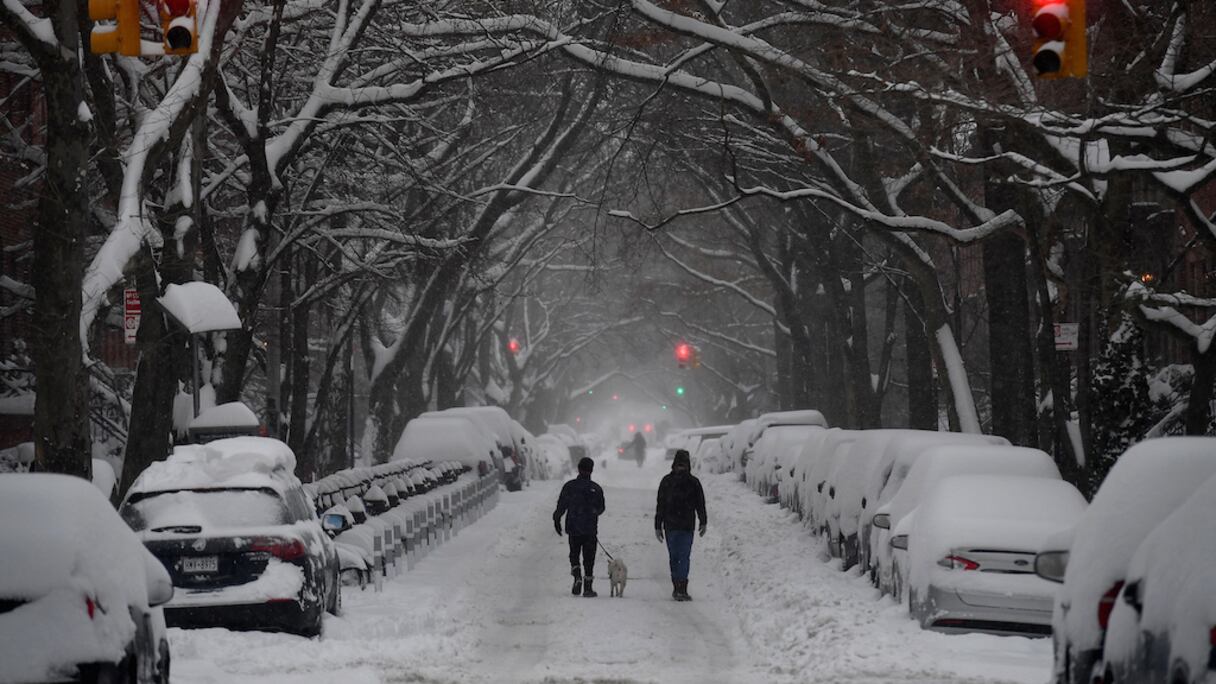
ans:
x=682 y=502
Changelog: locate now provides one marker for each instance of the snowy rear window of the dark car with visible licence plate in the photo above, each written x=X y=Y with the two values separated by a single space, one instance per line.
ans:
x=187 y=509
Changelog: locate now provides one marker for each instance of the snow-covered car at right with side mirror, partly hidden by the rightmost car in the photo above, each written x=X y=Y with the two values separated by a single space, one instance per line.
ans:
x=1146 y=485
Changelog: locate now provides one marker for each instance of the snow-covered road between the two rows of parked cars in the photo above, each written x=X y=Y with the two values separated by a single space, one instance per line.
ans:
x=494 y=605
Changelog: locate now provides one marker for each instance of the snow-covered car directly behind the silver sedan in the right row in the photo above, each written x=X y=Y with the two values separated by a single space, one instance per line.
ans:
x=933 y=466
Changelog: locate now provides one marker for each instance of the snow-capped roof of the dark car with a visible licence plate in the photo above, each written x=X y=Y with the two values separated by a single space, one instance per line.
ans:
x=233 y=463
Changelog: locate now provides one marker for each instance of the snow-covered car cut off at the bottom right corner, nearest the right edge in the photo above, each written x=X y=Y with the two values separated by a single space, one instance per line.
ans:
x=1164 y=630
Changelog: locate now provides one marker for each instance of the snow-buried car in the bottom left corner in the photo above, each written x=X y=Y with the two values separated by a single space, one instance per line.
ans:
x=80 y=596
